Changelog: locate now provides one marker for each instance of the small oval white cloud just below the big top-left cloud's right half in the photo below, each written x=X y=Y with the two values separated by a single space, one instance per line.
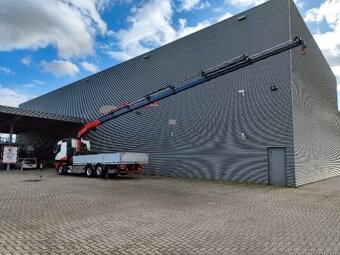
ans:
x=60 y=68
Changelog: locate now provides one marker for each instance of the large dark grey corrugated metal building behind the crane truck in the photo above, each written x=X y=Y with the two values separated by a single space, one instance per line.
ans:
x=219 y=134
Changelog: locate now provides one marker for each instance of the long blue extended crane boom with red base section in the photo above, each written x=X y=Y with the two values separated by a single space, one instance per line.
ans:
x=197 y=79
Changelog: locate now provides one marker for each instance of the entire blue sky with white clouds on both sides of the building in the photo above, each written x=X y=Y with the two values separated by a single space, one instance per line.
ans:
x=47 y=44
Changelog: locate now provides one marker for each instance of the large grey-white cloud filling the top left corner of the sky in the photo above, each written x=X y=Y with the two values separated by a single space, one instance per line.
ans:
x=69 y=25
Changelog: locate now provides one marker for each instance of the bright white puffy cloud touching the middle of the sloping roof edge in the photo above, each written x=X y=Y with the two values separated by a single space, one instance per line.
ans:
x=150 y=27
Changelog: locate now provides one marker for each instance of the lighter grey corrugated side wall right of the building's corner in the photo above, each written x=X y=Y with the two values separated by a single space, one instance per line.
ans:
x=315 y=111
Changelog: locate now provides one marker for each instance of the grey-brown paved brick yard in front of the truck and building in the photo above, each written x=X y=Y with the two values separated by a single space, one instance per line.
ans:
x=158 y=215
